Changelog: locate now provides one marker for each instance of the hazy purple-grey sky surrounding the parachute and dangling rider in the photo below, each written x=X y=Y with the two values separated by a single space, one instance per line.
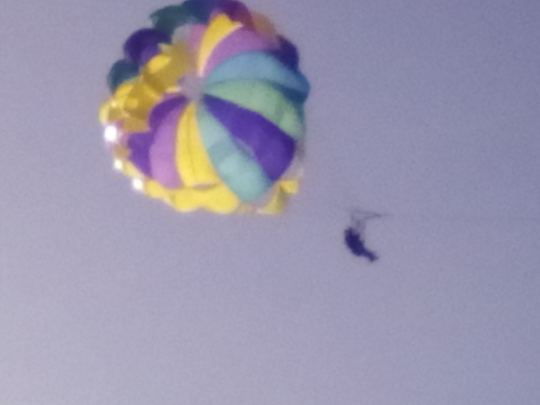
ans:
x=424 y=111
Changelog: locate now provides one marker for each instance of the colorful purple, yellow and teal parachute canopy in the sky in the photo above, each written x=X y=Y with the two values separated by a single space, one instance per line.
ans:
x=206 y=110
